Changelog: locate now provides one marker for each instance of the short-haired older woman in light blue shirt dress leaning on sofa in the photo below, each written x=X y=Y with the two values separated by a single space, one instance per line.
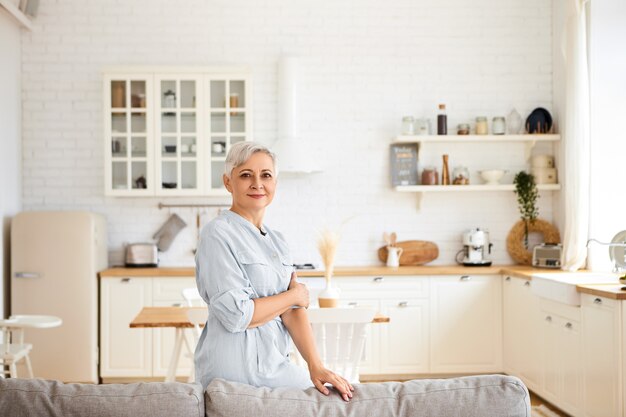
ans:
x=244 y=273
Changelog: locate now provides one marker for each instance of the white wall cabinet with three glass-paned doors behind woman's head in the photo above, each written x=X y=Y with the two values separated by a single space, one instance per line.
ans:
x=167 y=131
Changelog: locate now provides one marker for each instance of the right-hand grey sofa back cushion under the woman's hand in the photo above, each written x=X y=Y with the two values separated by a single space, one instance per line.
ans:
x=480 y=396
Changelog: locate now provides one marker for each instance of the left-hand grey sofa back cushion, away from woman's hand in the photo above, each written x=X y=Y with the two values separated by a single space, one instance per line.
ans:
x=36 y=397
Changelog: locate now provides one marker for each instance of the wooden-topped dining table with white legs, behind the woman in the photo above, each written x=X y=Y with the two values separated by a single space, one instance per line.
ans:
x=178 y=317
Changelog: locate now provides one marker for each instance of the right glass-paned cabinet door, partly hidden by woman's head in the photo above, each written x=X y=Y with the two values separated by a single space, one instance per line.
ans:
x=228 y=117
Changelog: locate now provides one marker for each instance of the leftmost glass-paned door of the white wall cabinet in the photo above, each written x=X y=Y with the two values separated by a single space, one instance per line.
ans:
x=128 y=134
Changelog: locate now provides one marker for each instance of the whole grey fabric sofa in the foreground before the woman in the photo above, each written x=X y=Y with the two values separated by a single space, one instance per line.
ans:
x=480 y=396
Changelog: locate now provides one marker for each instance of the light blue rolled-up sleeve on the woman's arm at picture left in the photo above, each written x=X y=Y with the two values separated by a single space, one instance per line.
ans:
x=222 y=283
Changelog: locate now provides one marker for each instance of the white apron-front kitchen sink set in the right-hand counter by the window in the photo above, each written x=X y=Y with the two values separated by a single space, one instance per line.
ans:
x=561 y=287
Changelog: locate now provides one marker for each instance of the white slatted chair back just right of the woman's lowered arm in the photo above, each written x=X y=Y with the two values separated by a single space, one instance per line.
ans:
x=340 y=335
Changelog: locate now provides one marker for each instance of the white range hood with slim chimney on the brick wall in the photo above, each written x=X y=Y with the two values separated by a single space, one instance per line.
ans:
x=294 y=154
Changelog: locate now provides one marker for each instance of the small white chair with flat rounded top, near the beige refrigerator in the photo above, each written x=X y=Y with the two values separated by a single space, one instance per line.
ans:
x=13 y=349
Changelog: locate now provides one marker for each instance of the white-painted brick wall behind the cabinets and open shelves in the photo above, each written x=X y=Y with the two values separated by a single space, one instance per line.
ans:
x=364 y=64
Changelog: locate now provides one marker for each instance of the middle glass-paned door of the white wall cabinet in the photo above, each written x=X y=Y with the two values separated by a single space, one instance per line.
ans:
x=178 y=133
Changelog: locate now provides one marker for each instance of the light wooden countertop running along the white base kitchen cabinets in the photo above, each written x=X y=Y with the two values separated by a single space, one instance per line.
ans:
x=603 y=290
